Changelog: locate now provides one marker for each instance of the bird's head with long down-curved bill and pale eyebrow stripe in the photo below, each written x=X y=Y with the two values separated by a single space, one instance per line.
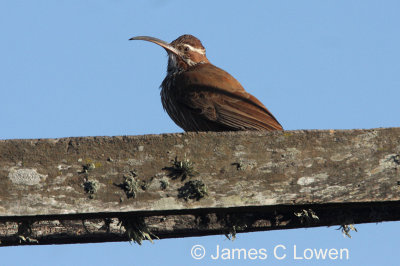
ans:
x=184 y=52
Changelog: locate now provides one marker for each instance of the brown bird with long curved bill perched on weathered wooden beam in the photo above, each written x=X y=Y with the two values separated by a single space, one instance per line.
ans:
x=199 y=96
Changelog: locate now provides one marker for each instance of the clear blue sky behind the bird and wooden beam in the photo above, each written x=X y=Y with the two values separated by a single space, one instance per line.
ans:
x=68 y=69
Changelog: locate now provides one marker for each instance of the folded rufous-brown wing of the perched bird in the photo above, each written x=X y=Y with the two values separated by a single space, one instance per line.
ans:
x=216 y=96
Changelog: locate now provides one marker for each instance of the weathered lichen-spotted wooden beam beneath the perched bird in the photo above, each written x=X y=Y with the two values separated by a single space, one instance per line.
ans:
x=348 y=175
